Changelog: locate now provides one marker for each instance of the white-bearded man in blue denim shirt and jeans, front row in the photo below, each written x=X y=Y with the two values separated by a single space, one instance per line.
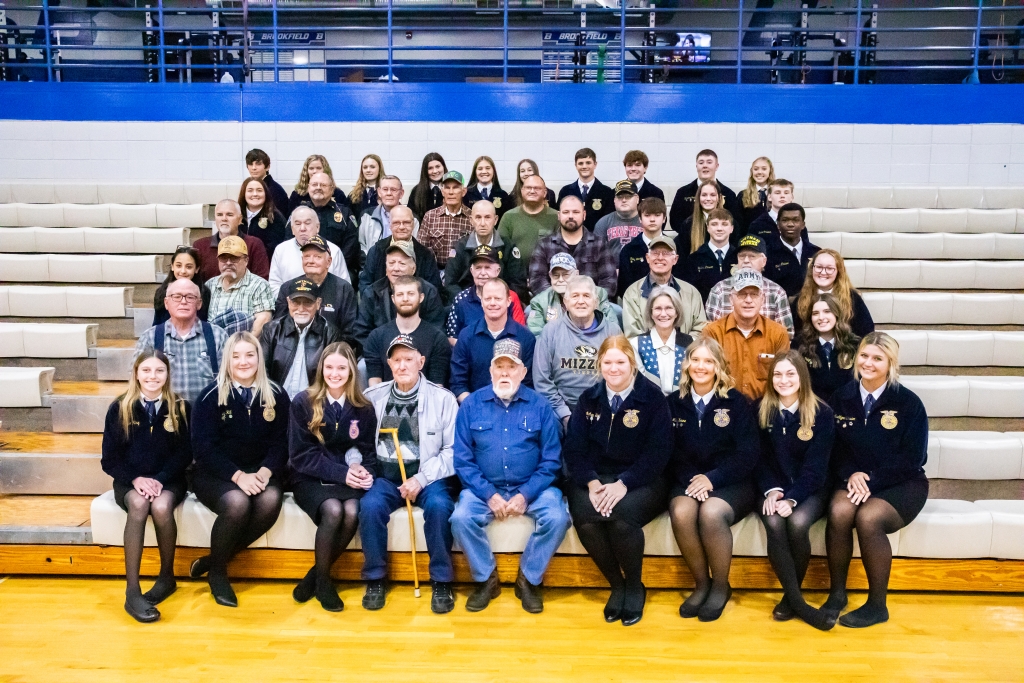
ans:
x=507 y=455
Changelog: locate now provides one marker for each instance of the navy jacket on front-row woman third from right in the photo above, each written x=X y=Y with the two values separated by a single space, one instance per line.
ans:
x=723 y=447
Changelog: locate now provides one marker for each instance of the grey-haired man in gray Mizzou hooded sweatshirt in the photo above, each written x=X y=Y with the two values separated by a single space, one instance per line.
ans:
x=566 y=358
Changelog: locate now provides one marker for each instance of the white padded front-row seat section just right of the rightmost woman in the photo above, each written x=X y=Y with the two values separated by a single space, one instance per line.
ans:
x=952 y=530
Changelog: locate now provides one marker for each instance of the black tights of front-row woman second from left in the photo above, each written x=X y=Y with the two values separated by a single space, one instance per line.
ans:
x=241 y=520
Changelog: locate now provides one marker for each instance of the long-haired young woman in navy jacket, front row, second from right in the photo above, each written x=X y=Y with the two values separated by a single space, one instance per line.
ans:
x=797 y=434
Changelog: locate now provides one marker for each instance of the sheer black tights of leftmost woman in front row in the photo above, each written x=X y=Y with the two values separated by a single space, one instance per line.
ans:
x=162 y=510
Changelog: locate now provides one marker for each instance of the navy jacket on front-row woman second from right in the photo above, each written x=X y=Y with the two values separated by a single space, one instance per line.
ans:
x=798 y=467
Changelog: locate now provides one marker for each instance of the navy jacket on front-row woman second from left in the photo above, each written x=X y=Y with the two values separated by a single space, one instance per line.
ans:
x=233 y=438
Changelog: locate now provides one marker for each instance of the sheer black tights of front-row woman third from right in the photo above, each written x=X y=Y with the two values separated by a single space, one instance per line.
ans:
x=702 y=531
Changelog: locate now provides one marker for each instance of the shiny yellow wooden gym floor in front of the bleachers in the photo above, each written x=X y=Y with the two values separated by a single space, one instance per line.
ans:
x=75 y=630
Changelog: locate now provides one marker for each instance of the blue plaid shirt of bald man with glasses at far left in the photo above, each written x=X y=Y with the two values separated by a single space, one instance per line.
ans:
x=190 y=359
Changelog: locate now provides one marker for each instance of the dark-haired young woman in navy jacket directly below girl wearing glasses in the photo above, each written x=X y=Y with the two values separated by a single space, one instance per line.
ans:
x=829 y=346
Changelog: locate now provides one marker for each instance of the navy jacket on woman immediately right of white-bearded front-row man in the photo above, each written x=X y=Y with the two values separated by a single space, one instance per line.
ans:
x=600 y=443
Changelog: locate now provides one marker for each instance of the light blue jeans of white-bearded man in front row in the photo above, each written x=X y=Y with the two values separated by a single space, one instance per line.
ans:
x=471 y=521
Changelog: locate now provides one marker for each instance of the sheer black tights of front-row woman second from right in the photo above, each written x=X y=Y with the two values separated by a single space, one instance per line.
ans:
x=790 y=545
